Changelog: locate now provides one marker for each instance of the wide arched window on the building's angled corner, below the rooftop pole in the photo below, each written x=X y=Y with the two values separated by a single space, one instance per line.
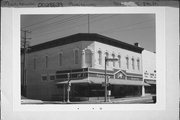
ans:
x=88 y=57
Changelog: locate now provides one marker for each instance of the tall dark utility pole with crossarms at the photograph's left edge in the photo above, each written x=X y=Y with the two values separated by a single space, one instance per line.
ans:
x=24 y=50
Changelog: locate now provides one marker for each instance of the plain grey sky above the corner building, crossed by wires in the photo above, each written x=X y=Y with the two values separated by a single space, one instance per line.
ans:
x=129 y=28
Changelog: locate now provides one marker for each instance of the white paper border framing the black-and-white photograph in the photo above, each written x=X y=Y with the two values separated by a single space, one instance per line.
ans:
x=13 y=80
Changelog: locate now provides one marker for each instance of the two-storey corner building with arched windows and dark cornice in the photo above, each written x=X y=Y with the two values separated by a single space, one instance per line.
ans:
x=81 y=59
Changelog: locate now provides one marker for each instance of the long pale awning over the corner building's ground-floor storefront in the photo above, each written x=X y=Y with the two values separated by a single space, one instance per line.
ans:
x=93 y=80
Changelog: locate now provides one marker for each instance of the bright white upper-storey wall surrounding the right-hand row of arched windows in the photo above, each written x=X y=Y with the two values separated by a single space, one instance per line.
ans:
x=117 y=51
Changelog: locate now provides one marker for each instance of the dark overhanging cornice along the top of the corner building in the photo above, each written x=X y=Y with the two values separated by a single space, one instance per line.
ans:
x=85 y=37
